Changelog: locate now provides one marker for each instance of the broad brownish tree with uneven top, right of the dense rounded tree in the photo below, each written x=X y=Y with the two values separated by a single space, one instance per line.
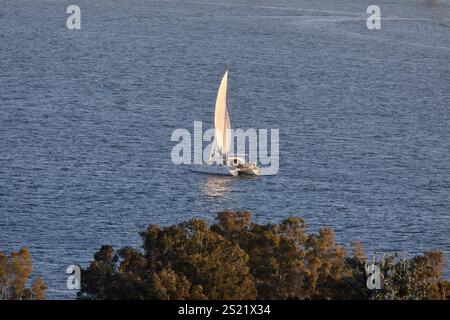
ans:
x=284 y=260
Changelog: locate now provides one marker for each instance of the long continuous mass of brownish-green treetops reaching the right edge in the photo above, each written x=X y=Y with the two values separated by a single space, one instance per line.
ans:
x=236 y=258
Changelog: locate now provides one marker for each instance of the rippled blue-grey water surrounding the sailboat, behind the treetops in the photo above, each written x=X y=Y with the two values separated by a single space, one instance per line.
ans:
x=86 y=118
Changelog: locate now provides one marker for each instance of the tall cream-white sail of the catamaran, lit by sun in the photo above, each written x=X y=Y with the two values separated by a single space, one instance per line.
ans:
x=222 y=119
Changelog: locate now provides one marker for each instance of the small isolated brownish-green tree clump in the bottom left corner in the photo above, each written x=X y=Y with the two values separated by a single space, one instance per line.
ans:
x=15 y=270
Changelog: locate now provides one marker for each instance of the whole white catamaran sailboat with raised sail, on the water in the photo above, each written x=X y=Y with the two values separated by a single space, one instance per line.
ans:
x=221 y=161
